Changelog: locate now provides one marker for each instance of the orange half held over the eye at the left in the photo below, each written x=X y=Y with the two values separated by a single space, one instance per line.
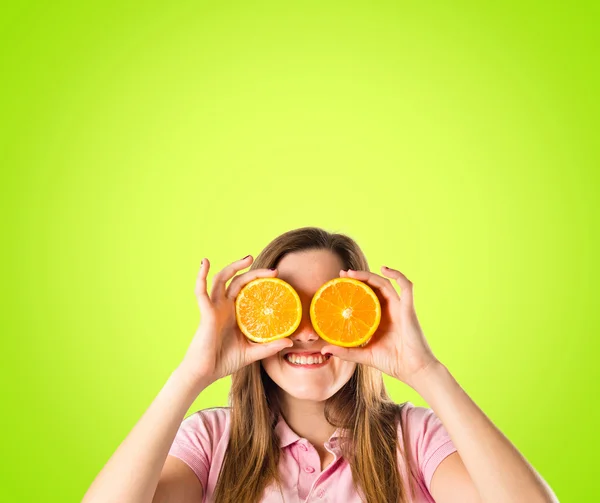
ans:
x=267 y=309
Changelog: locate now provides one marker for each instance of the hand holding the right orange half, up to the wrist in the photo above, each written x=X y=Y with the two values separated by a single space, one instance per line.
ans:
x=398 y=346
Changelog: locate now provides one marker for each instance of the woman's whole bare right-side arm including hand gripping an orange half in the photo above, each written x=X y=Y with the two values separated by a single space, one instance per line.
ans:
x=487 y=467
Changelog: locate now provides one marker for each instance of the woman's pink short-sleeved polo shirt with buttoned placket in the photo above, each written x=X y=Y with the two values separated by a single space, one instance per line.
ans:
x=300 y=465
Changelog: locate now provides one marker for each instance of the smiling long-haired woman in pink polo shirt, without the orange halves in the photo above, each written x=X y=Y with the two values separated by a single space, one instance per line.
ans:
x=329 y=433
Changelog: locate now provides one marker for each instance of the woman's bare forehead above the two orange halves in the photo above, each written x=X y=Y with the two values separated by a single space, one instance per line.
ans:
x=307 y=270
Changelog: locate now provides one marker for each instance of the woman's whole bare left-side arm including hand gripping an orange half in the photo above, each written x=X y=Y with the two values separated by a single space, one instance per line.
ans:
x=218 y=349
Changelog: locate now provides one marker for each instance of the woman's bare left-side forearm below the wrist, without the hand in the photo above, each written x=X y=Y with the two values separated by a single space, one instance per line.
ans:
x=133 y=471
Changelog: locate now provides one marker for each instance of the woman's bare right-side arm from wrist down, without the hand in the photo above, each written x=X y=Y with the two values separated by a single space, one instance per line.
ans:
x=498 y=471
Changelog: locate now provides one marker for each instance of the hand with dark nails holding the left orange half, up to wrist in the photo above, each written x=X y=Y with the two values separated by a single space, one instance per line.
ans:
x=219 y=348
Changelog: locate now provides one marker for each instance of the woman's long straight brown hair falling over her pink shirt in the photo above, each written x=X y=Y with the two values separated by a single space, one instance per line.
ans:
x=362 y=408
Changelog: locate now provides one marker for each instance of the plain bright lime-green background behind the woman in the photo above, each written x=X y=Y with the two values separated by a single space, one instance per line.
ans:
x=456 y=143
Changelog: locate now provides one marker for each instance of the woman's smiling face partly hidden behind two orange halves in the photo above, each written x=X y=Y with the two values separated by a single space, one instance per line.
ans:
x=307 y=271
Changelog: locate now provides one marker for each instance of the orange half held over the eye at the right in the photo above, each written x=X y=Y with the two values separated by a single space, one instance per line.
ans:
x=345 y=312
